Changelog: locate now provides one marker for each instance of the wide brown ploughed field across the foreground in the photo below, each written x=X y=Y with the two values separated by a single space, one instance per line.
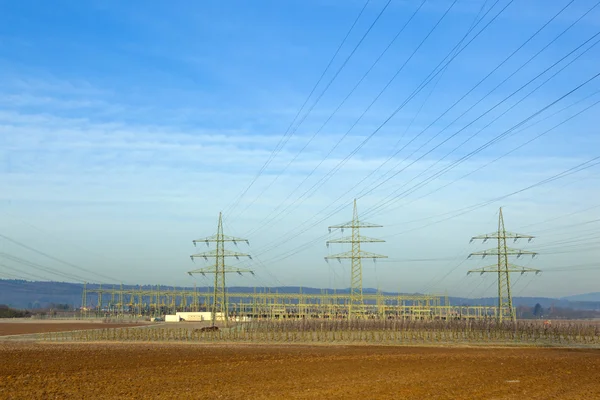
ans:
x=192 y=371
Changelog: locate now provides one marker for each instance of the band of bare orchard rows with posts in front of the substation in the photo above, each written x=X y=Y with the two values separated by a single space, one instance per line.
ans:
x=353 y=332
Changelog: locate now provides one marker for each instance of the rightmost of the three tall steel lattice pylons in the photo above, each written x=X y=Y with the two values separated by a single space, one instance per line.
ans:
x=504 y=268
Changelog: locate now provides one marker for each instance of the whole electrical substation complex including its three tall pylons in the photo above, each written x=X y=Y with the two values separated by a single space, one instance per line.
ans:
x=219 y=304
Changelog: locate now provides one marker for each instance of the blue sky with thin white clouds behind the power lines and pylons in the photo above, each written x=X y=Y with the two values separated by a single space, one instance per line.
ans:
x=125 y=127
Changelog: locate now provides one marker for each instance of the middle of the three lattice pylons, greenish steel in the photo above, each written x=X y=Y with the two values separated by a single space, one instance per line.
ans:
x=356 y=255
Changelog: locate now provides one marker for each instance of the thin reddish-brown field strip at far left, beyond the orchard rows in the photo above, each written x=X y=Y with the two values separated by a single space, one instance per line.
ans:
x=19 y=328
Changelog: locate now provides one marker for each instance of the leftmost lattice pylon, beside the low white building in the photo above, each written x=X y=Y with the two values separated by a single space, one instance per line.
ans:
x=219 y=269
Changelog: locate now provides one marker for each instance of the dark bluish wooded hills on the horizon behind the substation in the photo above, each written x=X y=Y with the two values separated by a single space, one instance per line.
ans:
x=31 y=295
